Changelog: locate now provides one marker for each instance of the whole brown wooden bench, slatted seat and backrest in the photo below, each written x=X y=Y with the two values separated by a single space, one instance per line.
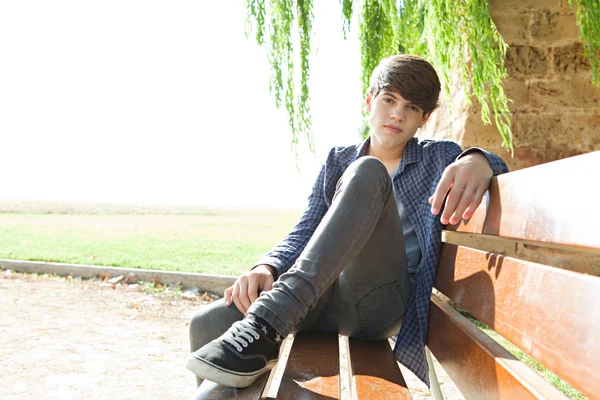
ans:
x=527 y=264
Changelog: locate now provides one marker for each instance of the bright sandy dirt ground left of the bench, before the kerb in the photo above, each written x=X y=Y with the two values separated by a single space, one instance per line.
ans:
x=77 y=340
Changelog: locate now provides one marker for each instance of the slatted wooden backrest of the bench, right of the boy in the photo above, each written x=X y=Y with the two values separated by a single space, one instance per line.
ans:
x=527 y=264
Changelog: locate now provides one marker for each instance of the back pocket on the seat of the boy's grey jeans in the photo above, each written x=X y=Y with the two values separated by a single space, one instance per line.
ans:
x=379 y=311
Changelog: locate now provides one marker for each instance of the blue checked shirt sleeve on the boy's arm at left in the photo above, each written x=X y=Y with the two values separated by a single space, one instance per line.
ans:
x=284 y=254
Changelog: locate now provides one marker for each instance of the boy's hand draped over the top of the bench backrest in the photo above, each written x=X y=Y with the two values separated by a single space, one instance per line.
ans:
x=465 y=182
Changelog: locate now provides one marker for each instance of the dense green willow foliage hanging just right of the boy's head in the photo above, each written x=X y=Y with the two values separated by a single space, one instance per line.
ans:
x=461 y=36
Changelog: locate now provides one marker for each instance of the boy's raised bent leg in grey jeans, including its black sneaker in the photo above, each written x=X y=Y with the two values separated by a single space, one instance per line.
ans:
x=363 y=203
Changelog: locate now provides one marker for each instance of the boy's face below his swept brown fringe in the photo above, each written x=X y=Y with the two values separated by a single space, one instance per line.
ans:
x=394 y=120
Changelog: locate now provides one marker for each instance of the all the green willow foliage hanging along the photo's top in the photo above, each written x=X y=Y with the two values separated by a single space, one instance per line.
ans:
x=455 y=36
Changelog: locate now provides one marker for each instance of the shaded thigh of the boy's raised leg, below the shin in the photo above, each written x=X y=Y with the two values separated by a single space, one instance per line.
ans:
x=369 y=299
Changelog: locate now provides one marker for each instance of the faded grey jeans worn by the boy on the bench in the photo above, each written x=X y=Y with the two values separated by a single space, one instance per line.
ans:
x=351 y=277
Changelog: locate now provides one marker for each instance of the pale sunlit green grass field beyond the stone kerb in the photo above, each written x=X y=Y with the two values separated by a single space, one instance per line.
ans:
x=227 y=243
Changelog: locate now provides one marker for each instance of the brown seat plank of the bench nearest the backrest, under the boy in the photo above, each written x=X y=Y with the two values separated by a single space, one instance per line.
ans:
x=375 y=373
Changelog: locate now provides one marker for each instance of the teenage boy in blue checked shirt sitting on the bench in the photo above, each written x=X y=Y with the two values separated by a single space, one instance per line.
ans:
x=362 y=259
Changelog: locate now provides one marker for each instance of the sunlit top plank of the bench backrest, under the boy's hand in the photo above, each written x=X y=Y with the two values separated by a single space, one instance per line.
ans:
x=552 y=202
